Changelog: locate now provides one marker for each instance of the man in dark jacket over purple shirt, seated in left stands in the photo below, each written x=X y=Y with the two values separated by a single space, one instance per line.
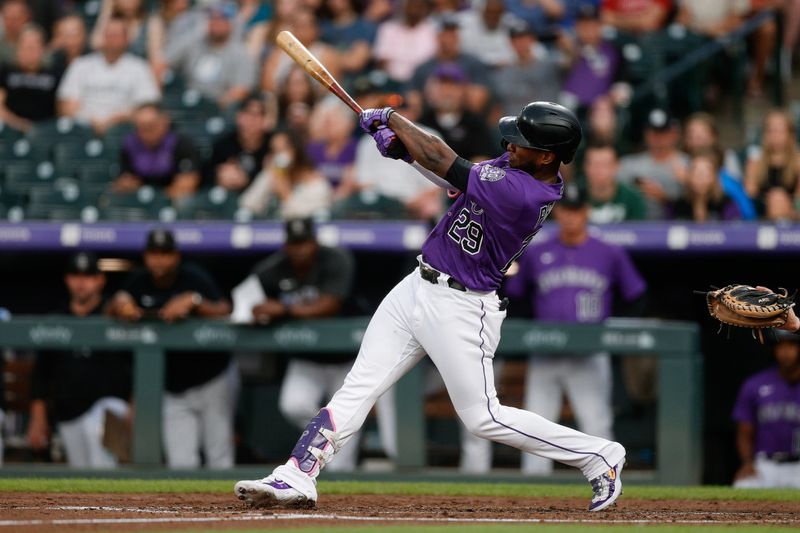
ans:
x=155 y=154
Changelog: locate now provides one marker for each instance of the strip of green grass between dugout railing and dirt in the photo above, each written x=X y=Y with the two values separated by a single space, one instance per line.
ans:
x=62 y=485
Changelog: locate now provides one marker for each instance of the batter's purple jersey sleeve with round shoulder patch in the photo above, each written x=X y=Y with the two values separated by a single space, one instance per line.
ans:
x=498 y=191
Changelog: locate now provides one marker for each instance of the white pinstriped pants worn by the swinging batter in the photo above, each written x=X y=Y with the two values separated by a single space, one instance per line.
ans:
x=459 y=331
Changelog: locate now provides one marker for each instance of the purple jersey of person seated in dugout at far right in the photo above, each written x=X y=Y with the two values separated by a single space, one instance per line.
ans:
x=772 y=406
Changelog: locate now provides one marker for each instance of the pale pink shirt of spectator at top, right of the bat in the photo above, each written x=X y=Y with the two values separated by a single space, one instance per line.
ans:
x=404 y=48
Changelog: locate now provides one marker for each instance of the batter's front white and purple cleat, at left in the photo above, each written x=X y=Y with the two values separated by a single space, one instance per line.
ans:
x=276 y=490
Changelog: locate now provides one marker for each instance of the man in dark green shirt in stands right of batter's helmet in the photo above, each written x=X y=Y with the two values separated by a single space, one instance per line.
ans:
x=611 y=201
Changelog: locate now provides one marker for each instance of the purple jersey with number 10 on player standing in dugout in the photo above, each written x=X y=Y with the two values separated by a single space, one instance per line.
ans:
x=575 y=283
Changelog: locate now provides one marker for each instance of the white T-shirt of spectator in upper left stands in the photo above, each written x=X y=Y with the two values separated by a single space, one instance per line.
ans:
x=105 y=89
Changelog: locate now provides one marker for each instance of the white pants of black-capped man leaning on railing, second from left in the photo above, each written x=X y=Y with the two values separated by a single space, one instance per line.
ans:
x=202 y=416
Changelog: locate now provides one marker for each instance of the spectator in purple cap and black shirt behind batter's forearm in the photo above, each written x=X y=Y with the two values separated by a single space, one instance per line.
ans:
x=465 y=131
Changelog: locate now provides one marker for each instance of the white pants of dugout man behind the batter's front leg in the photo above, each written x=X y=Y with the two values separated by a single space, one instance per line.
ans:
x=308 y=384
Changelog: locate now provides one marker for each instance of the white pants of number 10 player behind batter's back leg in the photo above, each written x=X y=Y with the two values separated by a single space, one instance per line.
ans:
x=586 y=382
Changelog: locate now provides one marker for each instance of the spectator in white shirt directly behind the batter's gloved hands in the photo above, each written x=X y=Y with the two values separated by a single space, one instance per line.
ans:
x=397 y=181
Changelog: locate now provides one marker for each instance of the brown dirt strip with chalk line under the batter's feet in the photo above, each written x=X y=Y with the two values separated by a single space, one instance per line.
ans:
x=126 y=512
